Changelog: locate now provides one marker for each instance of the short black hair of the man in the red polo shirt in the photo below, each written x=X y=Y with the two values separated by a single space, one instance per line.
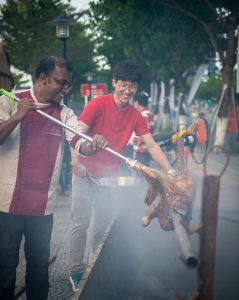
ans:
x=127 y=70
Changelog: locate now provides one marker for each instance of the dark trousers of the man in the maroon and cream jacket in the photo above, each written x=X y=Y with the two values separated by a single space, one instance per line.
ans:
x=37 y=233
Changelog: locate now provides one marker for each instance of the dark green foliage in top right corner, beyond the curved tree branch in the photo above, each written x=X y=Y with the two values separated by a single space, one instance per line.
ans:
x=219 y=19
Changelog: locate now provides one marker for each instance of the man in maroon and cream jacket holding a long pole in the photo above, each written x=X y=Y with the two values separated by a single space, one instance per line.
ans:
x=30 y=159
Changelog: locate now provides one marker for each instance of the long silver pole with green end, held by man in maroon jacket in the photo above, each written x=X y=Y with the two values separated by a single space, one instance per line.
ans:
x=81 y=134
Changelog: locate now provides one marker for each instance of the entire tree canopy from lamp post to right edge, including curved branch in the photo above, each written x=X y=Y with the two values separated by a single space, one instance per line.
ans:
x=168 y=38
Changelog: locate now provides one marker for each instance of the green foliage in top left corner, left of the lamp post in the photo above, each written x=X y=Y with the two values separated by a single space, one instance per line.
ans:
x=25 y=32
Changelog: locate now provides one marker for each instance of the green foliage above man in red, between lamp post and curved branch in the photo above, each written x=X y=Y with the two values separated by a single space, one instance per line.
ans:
x=164 y=42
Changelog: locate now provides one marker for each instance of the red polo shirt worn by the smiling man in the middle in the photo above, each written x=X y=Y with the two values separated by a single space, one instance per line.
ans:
x=116 y=124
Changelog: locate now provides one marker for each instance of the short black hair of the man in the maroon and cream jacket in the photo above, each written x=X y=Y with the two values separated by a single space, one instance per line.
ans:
x=48 y=64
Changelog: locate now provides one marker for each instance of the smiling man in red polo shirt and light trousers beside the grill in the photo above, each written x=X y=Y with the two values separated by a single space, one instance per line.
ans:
x=113 y=116
